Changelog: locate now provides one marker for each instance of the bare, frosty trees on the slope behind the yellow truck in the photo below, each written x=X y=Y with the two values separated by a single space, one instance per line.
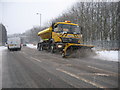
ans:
x=99 y=21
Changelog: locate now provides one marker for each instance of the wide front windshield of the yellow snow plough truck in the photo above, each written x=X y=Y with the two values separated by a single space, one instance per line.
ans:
x=66 y=28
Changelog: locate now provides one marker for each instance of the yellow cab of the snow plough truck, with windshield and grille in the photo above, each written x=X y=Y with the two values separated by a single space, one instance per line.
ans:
x=67 y=32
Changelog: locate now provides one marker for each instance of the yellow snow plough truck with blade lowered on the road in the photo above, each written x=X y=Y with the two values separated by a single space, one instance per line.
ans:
x=64 y=37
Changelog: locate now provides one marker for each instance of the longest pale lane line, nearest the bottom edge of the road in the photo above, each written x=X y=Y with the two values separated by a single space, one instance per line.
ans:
x=80 y=78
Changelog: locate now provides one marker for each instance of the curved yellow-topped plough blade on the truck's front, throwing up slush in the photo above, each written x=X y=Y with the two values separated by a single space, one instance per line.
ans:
x=78 y=50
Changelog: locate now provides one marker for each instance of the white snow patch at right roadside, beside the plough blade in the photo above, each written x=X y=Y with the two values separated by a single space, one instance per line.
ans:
x=107 y=55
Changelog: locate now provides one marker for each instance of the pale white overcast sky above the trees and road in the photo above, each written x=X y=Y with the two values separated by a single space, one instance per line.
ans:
x=20 y=15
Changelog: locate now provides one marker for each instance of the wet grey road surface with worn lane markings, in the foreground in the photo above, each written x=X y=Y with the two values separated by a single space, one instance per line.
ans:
x=30 y=68
